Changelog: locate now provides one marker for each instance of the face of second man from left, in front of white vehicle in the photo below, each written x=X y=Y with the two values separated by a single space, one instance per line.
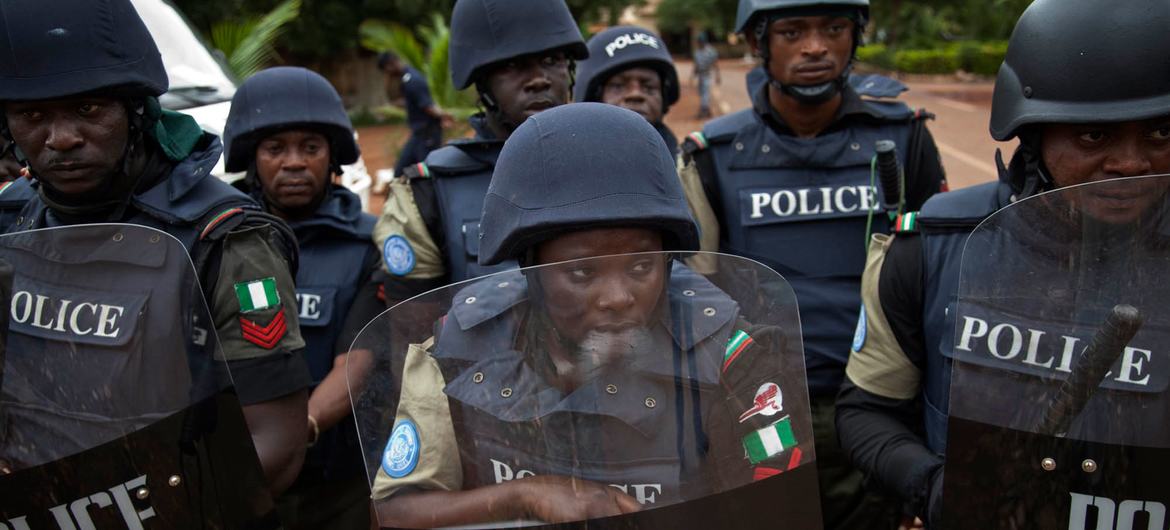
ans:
x=294 y=170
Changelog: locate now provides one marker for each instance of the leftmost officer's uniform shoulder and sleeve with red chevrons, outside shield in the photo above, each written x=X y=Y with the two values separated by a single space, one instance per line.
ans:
x=232 y=245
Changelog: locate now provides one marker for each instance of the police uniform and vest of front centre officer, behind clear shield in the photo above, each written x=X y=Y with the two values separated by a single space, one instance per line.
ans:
x=483 y=414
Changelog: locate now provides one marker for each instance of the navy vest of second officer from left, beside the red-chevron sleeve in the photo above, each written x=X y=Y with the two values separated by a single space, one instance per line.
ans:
x=335 y=244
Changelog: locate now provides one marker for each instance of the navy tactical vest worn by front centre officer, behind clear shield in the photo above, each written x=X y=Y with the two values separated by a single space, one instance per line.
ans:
x=632 y=430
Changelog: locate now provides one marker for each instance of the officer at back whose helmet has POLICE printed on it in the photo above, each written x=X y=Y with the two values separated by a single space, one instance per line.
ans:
x=631 y=67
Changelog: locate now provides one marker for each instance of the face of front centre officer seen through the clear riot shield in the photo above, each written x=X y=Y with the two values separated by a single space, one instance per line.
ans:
x=604 y=306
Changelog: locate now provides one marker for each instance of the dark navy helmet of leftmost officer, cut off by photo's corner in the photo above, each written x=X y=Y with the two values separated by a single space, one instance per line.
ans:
x=68 y=47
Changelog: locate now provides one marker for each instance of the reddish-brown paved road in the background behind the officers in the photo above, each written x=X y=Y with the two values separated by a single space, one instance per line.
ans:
x=960 y=130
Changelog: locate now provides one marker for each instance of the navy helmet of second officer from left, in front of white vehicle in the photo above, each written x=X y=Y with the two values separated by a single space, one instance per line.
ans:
x=281 y=99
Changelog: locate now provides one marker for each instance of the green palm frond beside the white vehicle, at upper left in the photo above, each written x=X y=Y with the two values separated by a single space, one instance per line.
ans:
x=249 y=44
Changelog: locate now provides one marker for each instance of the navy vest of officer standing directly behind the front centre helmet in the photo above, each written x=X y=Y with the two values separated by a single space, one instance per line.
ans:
x=462 y=173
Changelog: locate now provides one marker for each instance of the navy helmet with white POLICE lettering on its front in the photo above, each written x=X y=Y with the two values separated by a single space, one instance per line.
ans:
x=621 y=49
